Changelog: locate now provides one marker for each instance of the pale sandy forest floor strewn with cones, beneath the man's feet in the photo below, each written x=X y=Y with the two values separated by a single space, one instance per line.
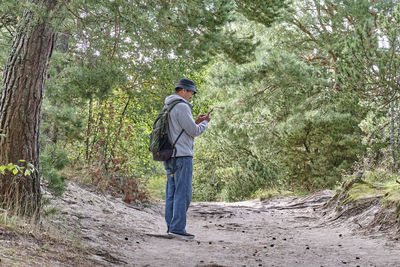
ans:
x=84 y=228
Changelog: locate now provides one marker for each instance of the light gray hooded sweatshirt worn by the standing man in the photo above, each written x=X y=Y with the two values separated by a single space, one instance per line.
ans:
x=181 y=118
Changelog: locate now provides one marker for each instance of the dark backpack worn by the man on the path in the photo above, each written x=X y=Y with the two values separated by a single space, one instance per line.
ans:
x=160 y=144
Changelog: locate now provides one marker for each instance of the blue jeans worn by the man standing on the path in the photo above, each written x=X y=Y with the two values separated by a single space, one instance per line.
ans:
x=178 y=193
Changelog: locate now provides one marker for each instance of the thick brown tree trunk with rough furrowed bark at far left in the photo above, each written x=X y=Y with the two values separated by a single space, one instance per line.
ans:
x=20 y=105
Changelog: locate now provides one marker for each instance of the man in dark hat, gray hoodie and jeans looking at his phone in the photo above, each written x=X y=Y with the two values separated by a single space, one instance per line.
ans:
x=179 y=168
